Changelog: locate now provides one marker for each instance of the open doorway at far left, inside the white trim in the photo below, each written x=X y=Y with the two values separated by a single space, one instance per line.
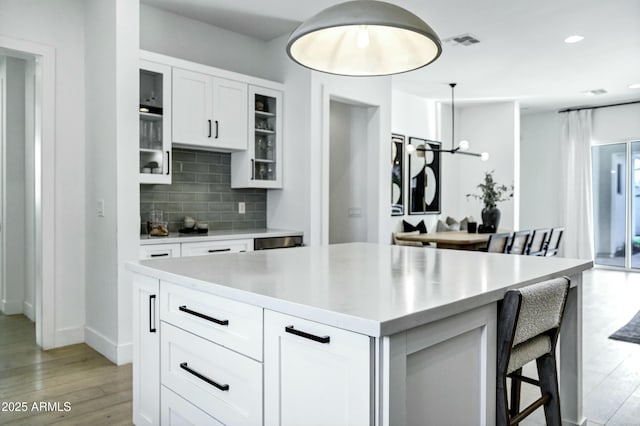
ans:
x=17 y=180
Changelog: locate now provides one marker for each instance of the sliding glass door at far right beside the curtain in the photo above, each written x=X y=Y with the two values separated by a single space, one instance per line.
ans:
x=616 y=204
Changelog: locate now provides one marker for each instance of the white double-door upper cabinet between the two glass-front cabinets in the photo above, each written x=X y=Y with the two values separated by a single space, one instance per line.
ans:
x=209 y=112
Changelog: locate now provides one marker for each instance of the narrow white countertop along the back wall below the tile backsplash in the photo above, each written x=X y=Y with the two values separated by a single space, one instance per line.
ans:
x=218 y=236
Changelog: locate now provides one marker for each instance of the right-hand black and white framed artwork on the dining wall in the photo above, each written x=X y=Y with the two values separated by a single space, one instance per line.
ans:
x=424 y=177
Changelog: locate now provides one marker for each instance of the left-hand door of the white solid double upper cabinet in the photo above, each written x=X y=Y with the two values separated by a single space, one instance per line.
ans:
x=192 y=108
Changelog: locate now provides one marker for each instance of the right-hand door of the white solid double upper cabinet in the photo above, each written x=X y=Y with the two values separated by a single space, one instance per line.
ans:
x=229 y=114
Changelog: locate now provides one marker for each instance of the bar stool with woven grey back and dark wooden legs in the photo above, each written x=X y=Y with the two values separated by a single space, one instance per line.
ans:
x=528 y=327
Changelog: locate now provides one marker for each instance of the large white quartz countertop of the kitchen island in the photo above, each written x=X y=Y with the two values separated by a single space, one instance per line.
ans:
x=371 y=289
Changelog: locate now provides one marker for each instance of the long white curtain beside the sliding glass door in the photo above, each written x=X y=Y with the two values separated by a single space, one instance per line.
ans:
x=576 y=184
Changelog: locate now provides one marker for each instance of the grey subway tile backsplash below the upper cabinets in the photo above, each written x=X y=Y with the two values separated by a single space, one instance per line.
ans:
x=201 y=188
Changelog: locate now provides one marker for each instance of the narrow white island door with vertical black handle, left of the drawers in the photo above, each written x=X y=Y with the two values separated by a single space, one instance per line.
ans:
x=146 y=351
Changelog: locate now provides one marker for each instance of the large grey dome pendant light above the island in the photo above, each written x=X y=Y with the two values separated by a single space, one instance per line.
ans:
x=364 y=38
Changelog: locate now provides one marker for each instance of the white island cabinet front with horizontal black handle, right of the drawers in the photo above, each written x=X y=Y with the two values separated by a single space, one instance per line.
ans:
x=315 y=374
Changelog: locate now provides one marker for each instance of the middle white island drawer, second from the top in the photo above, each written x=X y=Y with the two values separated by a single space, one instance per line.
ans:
x=226 y=385
